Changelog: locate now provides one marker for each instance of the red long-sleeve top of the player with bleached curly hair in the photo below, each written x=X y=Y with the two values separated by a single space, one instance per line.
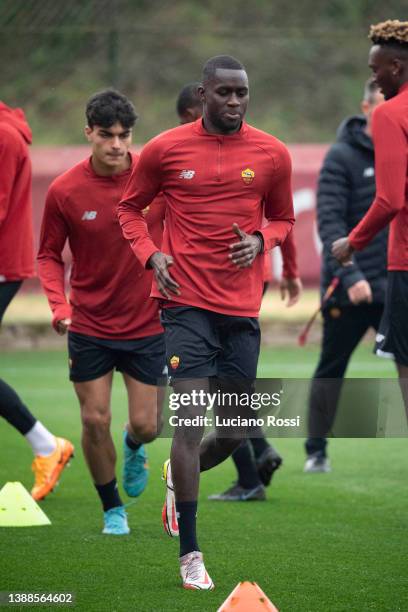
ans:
x=390 y=136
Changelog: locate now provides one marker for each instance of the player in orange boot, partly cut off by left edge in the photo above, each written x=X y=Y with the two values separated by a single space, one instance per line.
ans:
x=17 y=264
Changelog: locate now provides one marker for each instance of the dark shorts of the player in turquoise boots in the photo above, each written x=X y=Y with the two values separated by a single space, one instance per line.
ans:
x=143 y=358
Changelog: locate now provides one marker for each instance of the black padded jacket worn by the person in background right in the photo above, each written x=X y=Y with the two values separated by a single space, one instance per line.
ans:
x=345 y=192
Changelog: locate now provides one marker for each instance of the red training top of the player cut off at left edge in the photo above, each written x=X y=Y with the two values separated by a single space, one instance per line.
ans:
x=16 y=226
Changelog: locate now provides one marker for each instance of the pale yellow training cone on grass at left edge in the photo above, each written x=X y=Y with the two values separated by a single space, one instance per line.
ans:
x=18 y=509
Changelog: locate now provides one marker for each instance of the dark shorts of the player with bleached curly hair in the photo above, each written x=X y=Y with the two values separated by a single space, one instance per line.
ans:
x=392 y=337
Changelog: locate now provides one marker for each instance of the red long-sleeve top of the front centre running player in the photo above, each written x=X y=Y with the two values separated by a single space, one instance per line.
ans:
x=210 y=181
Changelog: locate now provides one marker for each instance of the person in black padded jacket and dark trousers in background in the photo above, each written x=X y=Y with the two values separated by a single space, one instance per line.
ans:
x=345 y=192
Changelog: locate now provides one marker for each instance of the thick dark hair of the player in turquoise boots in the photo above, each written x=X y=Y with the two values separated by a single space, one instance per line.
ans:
x=108 y=107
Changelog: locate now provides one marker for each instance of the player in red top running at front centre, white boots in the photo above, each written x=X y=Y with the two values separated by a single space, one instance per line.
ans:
x=219 y=177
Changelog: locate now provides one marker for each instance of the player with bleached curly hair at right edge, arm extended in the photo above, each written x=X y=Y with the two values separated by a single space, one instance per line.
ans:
x=388 y=61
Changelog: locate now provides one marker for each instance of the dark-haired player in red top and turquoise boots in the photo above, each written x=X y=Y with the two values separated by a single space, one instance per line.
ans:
x=111 y=321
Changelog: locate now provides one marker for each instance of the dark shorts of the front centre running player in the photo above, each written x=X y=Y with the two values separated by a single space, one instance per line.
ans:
x=201 y=343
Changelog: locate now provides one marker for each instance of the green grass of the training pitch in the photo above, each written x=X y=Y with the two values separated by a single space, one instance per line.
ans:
x=322 y=543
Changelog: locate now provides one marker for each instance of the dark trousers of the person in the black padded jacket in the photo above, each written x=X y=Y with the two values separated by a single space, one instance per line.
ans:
x=343 y=328
